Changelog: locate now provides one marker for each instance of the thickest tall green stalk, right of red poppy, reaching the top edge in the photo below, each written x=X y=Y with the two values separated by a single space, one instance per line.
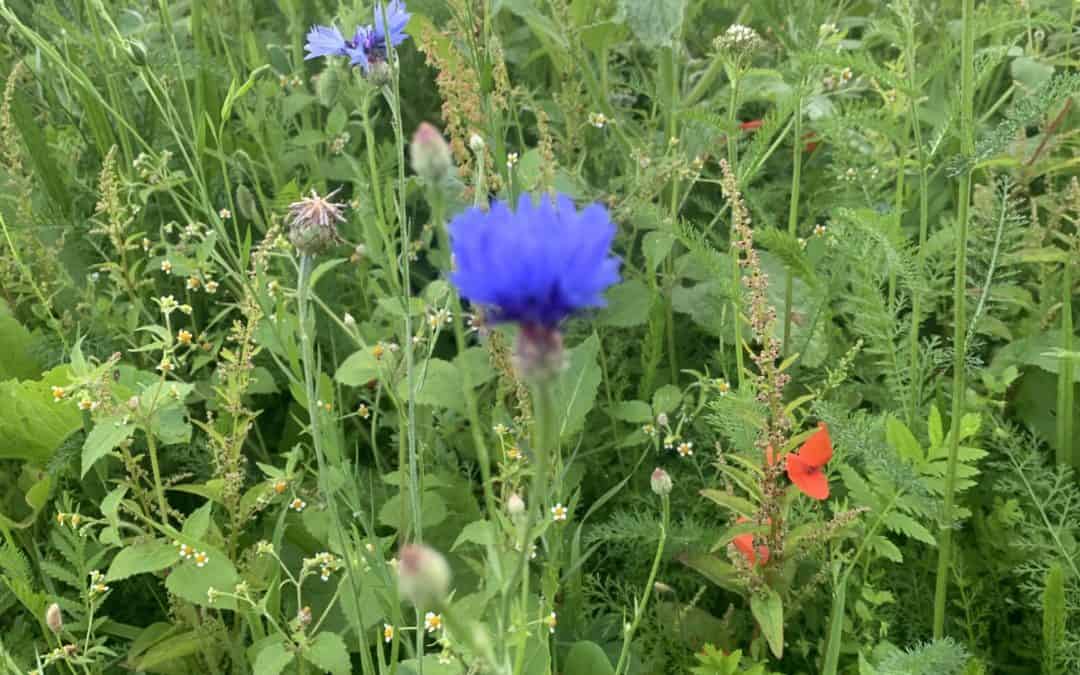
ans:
x=960 y=316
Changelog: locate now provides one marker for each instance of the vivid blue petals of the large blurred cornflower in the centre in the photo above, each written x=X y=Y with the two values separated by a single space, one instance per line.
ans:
x=536 y=265
